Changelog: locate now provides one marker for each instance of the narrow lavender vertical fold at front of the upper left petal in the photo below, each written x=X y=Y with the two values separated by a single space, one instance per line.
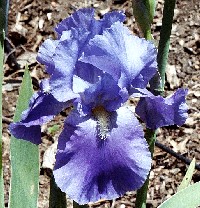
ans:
x=65 y=58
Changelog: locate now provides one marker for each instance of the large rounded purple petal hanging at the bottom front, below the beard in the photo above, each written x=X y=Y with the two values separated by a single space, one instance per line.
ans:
x=89 y=168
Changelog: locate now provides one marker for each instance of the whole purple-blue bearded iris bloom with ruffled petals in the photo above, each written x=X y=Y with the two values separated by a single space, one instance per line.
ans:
x=95 y=66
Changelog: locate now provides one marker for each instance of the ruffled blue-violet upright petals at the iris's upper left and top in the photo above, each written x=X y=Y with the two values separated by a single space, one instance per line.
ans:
x=61 y=56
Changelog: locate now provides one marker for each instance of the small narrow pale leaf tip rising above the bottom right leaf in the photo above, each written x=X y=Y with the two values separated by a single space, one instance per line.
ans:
x=188 y=176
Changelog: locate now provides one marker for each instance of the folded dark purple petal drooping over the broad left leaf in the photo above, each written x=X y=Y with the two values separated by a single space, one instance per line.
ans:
x=42 y=108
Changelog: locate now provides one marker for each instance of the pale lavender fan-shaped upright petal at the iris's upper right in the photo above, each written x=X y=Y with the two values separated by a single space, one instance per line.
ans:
x=129 y=59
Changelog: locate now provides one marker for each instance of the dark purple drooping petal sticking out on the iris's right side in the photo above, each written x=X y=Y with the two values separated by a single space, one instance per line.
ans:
x=157 y=111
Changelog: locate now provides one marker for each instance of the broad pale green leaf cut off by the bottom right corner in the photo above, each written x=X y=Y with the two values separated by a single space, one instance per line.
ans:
x=186 y=198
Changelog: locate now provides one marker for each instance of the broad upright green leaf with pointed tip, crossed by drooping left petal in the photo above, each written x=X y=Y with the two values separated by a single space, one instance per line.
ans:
x=24 y=158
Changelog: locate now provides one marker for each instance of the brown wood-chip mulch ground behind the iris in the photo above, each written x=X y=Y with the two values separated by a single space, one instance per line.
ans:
x=31 y=22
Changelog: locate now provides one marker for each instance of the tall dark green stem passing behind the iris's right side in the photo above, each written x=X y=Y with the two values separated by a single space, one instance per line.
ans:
x=157 y=85
